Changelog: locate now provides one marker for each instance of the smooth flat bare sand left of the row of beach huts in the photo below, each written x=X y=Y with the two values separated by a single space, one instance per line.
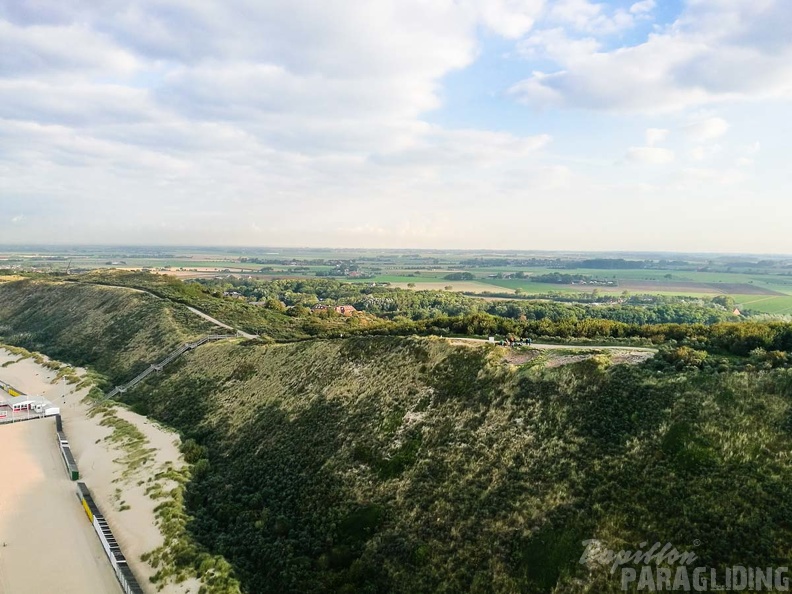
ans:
x=47 y=543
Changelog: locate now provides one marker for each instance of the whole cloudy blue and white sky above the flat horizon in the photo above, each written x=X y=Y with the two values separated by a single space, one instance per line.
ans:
x=482 y=124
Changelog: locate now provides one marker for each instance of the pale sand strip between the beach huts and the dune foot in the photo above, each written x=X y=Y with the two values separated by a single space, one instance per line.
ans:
x=99 y=462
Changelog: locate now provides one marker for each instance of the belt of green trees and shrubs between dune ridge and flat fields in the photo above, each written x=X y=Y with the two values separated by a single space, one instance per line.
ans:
x=700 y=325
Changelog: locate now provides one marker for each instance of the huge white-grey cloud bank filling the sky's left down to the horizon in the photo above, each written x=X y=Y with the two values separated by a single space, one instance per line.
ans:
x=202 y=111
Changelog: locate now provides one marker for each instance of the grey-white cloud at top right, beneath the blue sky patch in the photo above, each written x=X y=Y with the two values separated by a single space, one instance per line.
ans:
x=717 y=51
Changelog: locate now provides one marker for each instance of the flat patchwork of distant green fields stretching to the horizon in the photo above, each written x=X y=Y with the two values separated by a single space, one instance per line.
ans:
x=759 y=284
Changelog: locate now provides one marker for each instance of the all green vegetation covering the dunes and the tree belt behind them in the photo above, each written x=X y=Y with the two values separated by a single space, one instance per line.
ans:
x=380 y=464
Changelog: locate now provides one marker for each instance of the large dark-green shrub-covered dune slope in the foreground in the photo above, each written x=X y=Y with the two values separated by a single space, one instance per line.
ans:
x=411 y=465
